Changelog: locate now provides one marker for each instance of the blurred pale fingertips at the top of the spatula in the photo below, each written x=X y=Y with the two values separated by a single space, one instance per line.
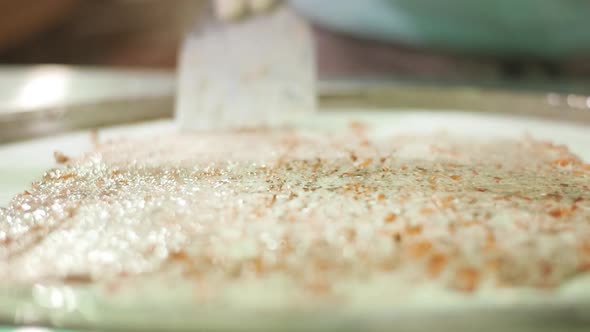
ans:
x=231 y=10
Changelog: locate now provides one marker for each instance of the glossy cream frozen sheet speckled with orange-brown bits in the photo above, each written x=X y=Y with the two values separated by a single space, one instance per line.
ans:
x=256 y=220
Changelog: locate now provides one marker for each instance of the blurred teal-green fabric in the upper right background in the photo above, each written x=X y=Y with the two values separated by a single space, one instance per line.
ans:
x=550 y=29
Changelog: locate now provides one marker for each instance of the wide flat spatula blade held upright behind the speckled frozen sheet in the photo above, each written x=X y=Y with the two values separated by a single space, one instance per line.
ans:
x=256 y=72
